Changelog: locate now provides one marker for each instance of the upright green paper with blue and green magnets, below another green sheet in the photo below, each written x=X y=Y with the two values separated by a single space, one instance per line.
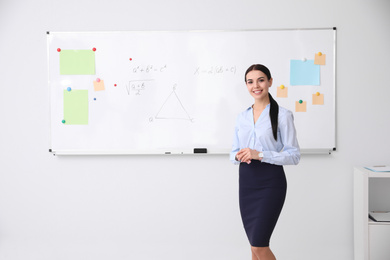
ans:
x=76 y=107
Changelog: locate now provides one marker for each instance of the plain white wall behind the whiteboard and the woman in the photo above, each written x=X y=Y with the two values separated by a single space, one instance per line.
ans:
x=179 y=207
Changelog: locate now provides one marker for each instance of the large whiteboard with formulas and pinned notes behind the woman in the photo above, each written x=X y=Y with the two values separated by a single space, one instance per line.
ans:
x=157 y=92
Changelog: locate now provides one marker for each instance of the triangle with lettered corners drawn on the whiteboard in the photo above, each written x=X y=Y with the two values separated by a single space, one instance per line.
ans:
x=173 y=109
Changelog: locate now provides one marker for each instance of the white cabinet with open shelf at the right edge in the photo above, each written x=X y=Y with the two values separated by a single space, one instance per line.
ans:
x=371 y=239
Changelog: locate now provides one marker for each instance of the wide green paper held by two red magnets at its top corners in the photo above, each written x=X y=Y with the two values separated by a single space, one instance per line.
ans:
x=77 y=62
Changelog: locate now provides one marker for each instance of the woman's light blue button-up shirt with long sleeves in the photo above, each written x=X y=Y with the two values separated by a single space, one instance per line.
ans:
x=259 y=137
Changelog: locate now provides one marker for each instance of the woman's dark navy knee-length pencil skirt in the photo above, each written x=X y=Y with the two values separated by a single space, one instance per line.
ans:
x=262 y=191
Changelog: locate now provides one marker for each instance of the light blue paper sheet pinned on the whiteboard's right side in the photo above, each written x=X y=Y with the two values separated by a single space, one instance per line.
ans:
x=304 y=73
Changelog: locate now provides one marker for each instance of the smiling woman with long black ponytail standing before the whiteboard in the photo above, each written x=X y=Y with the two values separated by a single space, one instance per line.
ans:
x=264 y=140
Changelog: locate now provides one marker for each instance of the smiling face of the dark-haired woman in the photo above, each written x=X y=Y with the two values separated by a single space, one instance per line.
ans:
x=258 y=84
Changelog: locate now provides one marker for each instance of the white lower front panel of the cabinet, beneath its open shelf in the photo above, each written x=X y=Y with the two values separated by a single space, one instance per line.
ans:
x=379 y=241
